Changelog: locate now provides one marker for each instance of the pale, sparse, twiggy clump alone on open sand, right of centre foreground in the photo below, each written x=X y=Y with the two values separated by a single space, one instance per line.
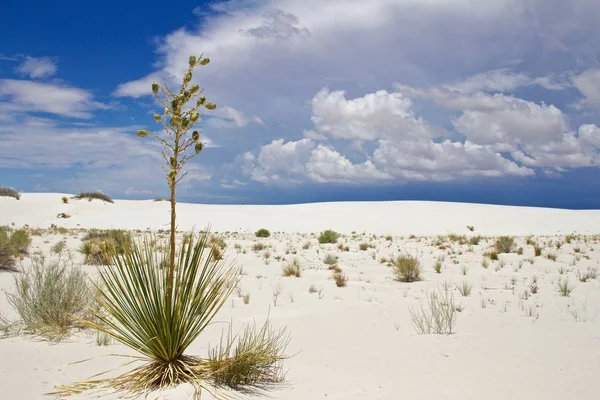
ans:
x=438 y=315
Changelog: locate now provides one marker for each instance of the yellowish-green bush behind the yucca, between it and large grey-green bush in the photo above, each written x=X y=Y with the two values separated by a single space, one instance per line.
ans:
x=99 y=247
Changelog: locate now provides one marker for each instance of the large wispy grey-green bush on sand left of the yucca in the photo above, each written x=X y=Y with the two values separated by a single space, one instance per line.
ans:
x=50 y=297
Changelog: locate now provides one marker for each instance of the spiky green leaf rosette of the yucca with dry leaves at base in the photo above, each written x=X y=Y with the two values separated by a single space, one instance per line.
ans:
x=136 y=312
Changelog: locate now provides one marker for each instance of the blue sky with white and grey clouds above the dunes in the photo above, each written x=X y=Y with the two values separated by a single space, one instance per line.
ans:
x=492 y=101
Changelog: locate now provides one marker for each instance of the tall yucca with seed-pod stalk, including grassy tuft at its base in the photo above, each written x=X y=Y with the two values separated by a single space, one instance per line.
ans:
x=158 y=303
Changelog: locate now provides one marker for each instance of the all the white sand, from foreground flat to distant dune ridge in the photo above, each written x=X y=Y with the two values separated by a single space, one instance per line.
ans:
x=357 y=342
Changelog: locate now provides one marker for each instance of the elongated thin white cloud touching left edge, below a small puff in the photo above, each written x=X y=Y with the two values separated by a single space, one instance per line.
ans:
x=30 y=96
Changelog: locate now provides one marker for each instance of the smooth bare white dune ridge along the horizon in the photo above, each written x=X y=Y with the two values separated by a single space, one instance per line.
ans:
x=395 y=217
